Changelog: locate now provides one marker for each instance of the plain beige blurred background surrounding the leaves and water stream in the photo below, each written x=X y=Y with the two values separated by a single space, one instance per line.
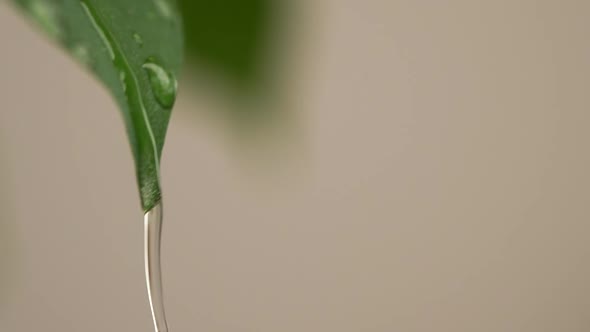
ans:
x=440 y=182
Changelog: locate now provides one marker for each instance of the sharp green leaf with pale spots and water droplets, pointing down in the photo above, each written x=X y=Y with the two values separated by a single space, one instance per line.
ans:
x=134 y=47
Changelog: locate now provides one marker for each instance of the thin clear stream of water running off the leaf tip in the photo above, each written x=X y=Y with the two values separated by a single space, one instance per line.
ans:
x=153 y=274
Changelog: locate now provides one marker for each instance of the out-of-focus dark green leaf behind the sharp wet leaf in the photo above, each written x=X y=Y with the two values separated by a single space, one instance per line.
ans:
x=228 y=36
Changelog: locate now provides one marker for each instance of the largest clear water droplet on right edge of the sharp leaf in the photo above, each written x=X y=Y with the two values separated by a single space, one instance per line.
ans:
x=163 y=83
